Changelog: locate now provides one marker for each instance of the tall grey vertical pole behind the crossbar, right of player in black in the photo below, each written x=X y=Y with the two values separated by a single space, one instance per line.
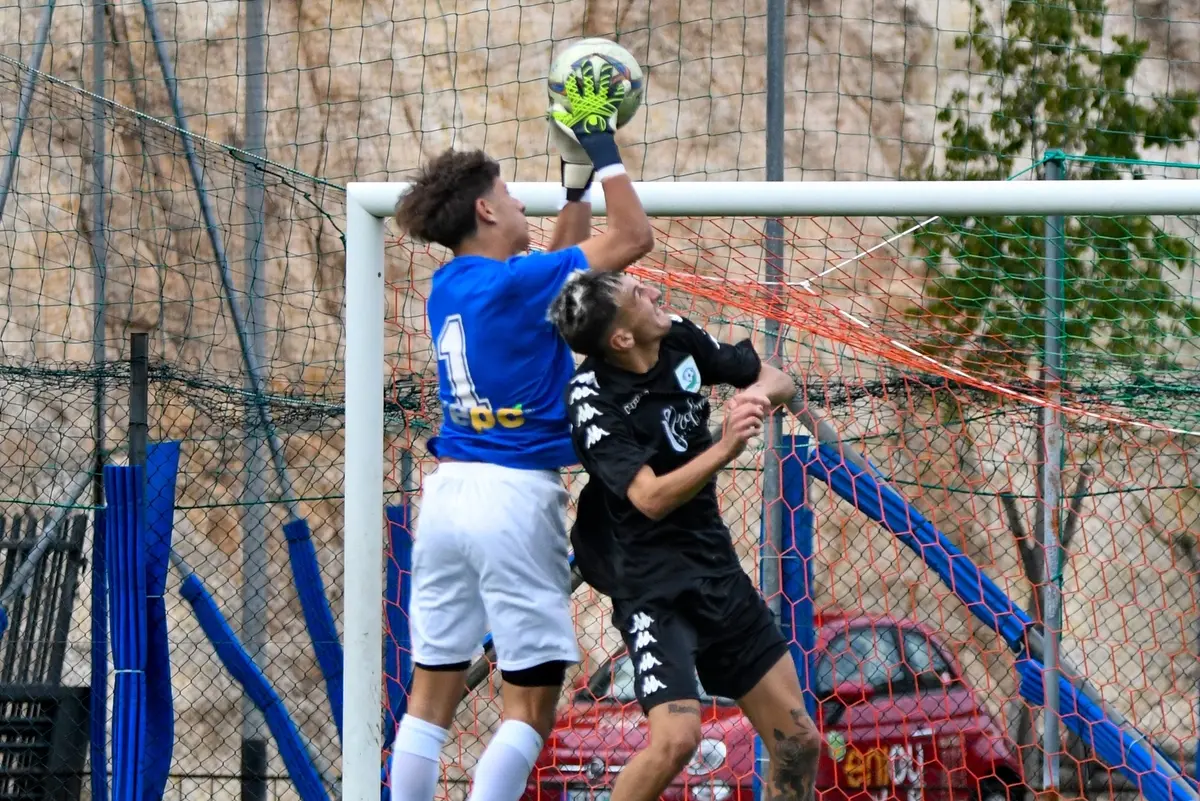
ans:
x=777 y=45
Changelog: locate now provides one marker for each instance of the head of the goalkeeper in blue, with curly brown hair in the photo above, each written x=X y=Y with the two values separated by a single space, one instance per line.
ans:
x=460 y=202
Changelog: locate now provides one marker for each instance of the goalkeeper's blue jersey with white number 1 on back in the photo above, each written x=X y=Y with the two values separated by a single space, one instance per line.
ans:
x=502 y=366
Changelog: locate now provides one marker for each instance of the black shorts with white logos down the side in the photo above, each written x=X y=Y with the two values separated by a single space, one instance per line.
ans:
x=718 y=629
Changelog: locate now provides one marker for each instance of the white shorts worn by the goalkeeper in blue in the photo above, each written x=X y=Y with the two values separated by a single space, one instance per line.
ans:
x=490 y=551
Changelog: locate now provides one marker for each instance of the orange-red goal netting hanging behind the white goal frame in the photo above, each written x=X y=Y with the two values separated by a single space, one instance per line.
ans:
x=921 y=342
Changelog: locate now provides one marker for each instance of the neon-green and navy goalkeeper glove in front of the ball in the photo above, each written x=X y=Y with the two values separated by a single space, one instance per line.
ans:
x=590 y=116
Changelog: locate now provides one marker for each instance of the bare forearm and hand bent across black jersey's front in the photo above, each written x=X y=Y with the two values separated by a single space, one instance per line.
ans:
x=656 y=497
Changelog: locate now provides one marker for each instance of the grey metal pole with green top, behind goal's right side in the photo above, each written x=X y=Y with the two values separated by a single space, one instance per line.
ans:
x=1052 y=481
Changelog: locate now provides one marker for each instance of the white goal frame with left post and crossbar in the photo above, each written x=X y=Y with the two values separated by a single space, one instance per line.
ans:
x=369 y=204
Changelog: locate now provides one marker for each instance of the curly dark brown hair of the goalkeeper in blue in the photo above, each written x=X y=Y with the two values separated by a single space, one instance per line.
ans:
x=440 y=207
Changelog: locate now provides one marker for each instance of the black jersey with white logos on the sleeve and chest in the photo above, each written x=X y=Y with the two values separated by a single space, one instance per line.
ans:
x=622 y=421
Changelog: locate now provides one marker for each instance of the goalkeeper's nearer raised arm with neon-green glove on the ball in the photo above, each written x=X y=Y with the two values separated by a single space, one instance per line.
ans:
x=591 y=122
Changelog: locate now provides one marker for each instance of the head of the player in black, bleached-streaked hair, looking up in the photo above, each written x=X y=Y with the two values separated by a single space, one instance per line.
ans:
x=609 y=315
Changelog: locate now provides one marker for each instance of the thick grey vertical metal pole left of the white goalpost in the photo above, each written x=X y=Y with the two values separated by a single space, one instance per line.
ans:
x=254 y=520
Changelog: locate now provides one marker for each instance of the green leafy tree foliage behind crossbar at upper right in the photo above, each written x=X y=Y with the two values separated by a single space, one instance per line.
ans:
x=1053 y=83
